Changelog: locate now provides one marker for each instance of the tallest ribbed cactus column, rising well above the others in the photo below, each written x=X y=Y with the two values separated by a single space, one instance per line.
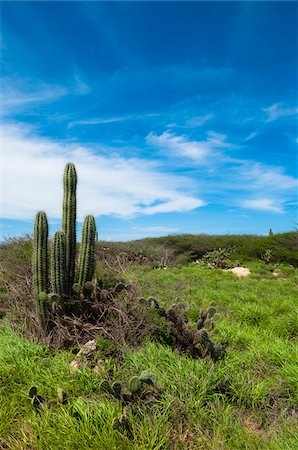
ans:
x=69 y=222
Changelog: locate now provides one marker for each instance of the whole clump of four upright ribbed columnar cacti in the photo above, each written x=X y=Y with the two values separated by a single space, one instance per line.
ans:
x=63 y=253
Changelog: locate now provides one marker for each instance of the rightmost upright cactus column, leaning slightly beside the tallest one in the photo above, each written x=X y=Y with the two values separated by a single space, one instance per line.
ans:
x=87 y=256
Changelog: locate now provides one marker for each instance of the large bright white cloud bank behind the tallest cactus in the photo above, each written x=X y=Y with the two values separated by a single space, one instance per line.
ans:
x=32 y=169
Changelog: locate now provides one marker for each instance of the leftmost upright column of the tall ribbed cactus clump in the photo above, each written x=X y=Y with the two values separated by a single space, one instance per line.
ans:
x=40 y=253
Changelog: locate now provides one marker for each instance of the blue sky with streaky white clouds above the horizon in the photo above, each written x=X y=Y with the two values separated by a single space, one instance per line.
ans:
x=180 y=117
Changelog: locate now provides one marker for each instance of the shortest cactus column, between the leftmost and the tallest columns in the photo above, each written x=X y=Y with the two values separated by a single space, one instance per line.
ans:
x=58 y=264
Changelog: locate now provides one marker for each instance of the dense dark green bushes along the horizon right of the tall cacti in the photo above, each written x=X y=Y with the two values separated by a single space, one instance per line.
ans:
x=180 y=249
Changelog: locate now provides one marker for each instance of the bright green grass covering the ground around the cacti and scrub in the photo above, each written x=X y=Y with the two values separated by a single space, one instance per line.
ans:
x=248 y=400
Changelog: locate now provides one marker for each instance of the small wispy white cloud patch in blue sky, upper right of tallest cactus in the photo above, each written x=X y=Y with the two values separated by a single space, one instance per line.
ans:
x=199 y=151
